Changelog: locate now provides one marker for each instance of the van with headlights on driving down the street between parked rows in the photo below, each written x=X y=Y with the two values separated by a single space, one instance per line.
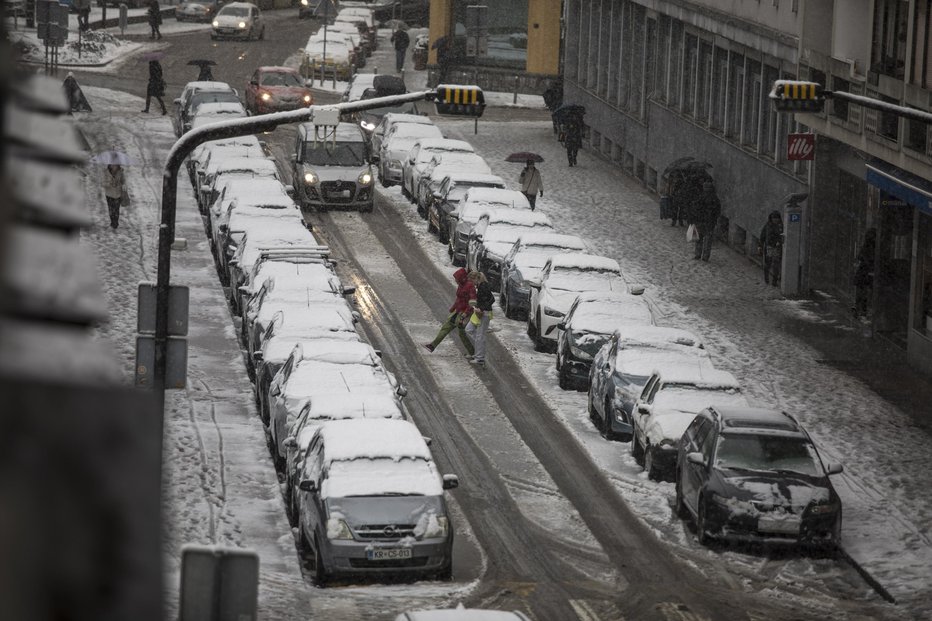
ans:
x=331 y=168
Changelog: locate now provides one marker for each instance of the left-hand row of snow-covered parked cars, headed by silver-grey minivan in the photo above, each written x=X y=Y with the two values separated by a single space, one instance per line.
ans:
x=359 y=479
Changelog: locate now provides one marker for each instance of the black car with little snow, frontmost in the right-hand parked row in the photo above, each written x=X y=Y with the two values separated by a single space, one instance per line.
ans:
x=754 y=474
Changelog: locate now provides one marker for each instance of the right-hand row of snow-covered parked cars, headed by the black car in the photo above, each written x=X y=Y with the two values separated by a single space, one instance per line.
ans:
x=740 y=472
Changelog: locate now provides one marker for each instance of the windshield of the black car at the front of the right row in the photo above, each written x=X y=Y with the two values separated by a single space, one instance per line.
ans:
x=767 y=454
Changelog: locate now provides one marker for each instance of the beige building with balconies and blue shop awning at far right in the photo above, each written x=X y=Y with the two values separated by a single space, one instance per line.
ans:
x=872 y=170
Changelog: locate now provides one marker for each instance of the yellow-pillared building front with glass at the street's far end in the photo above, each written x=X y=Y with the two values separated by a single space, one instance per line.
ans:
x=493 y=43
